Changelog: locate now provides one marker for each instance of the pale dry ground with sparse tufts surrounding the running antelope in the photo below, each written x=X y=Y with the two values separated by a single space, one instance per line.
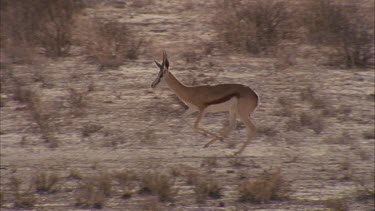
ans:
x=78 y=137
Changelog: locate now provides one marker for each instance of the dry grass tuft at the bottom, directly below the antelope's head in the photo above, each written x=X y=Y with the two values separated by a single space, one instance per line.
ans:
x=159 y=184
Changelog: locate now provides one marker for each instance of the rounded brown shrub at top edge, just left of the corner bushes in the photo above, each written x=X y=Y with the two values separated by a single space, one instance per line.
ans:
x=254 y=26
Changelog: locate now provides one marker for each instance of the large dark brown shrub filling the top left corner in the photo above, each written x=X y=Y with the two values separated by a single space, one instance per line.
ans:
x=43 y=23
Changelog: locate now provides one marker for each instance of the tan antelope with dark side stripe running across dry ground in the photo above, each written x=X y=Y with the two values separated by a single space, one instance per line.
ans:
x=238 y=99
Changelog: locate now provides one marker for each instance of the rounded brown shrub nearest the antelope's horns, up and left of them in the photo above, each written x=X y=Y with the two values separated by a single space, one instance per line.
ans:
x=109 y=43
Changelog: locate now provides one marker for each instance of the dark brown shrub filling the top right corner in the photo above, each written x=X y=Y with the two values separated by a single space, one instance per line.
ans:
x=339 y=24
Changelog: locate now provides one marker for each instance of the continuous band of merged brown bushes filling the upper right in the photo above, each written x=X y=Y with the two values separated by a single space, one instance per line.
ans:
x=260 y=26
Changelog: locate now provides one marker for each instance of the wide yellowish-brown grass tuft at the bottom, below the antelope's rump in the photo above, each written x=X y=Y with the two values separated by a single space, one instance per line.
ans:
x=270 y=186
